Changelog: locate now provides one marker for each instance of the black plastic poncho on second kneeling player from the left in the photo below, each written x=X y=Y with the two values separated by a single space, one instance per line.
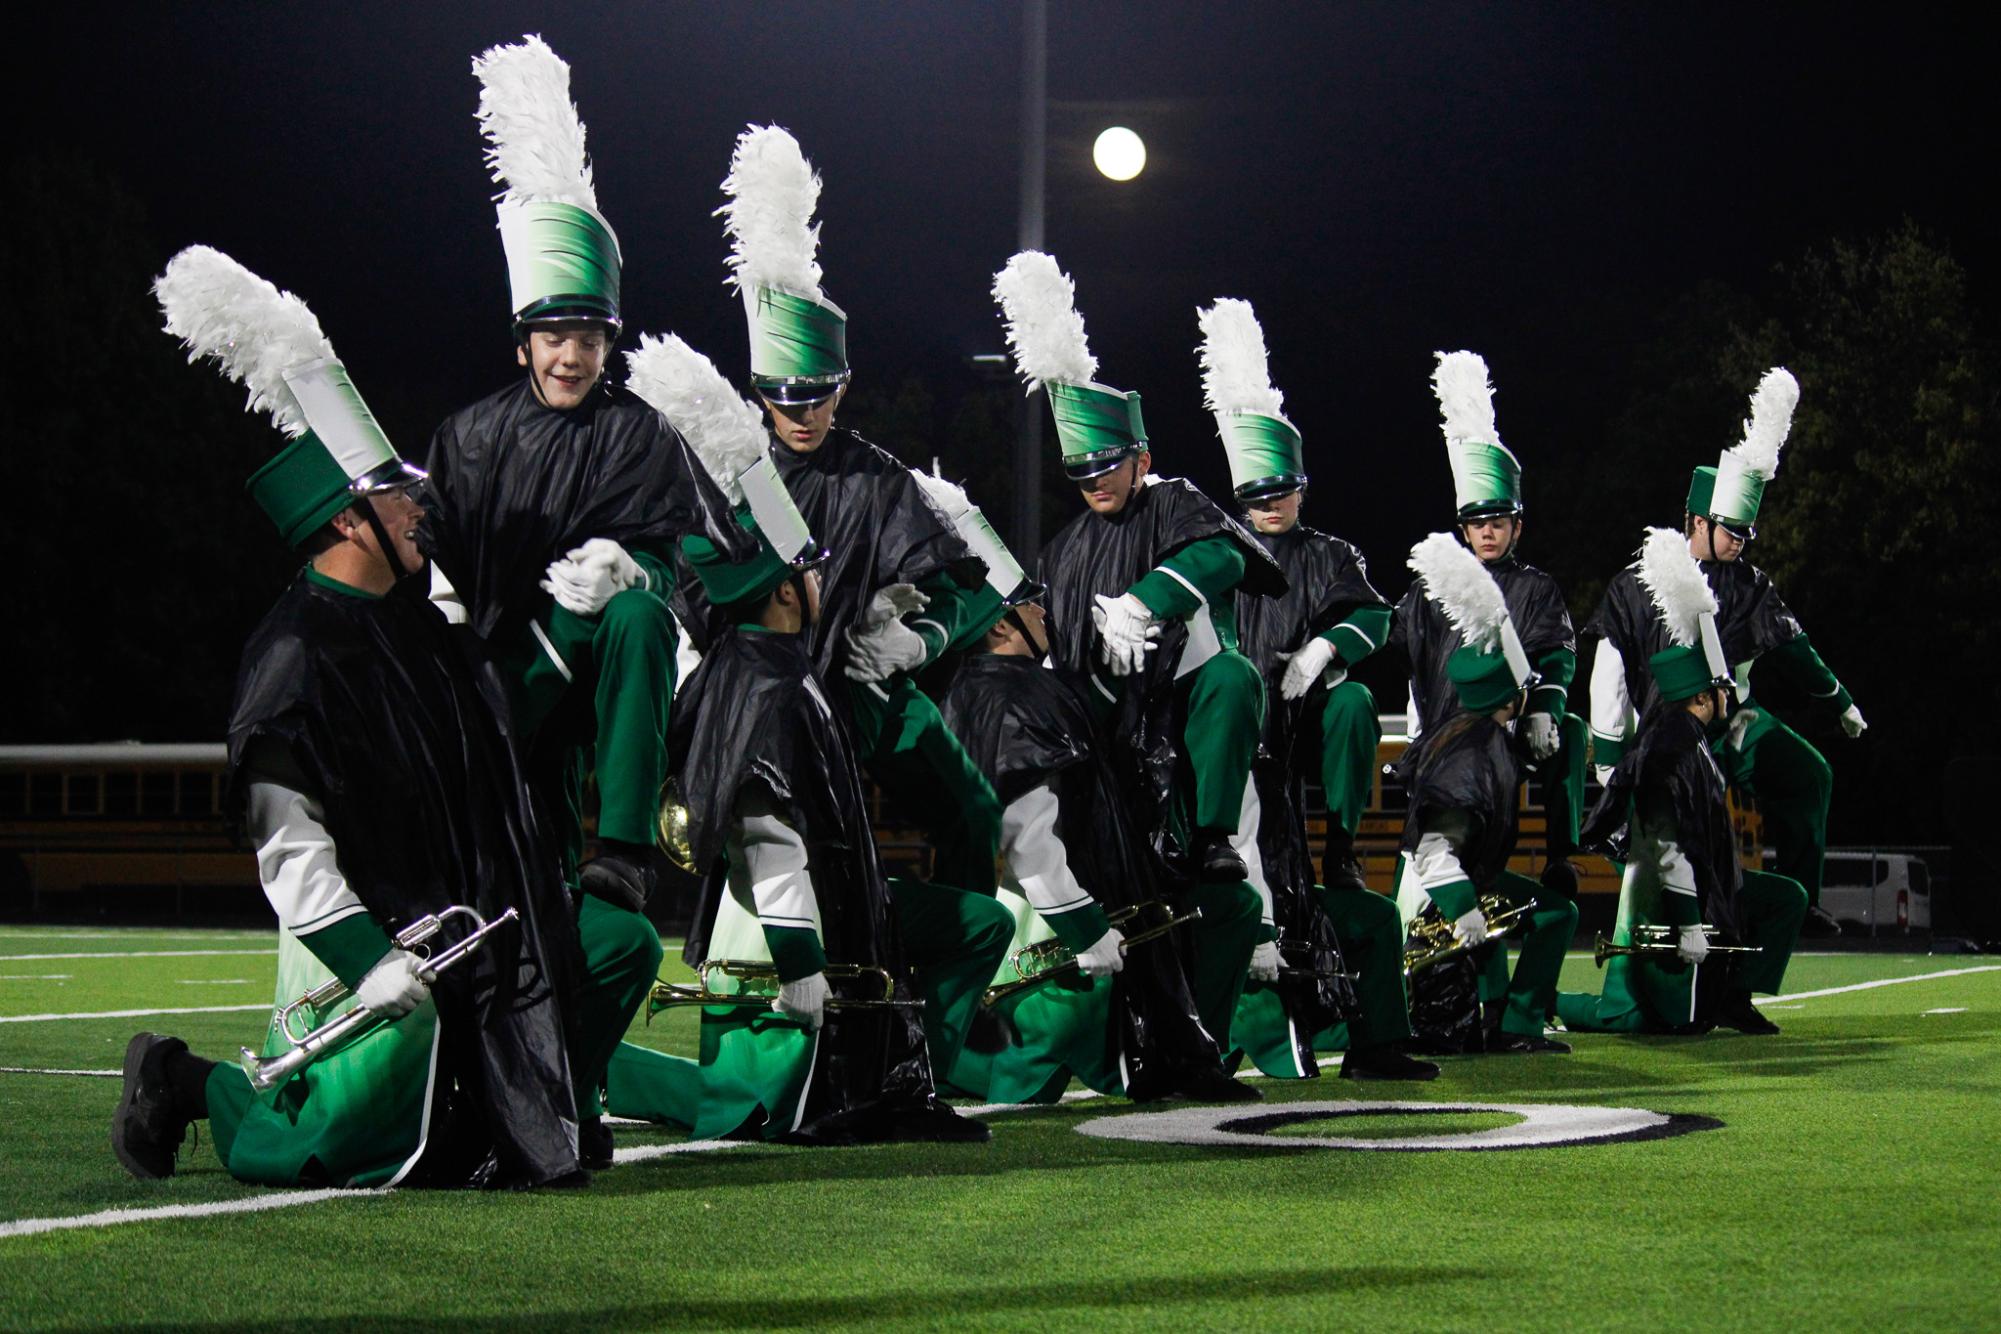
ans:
x=755 y=713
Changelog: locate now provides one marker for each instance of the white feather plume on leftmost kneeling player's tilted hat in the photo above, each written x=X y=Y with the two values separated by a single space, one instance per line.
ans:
x=253 y=331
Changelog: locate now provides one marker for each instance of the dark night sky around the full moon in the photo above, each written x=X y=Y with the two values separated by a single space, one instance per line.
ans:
x=1382 y=181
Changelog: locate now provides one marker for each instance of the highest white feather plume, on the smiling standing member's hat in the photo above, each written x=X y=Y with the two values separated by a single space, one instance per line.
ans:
x=535 y=141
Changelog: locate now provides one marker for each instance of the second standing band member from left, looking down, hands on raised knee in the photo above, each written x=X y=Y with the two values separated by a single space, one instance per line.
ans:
x=899 y=583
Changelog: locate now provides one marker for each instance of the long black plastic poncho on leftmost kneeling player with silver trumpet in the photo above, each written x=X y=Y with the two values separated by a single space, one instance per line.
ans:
x=371 y=709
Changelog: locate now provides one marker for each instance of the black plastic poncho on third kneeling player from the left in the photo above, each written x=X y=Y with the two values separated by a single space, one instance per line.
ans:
x=1026 y=727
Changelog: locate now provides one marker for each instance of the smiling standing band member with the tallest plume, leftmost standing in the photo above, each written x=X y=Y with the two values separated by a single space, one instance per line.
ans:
x=557 y=503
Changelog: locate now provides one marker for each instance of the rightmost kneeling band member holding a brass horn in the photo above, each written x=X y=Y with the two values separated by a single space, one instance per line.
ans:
x=1668 y=803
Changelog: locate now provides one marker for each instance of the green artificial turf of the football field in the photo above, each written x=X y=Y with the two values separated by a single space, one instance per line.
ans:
x=1854 y=1183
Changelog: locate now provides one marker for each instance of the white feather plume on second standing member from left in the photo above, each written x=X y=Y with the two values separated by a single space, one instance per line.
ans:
x=769 y=215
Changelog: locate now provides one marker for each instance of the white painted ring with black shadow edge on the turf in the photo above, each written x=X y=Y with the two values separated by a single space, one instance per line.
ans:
x=1542 y=1127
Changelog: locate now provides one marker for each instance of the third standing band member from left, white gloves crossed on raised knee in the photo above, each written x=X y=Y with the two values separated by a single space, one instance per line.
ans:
x=1142 y=607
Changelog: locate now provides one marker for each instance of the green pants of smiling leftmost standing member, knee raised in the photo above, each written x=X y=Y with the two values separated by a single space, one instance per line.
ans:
x=625 y=661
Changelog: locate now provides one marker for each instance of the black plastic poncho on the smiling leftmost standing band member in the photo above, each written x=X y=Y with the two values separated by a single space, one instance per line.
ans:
x=517 y=485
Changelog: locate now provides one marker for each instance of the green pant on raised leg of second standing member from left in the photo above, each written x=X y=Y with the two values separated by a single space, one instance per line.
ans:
x=927 y=775
